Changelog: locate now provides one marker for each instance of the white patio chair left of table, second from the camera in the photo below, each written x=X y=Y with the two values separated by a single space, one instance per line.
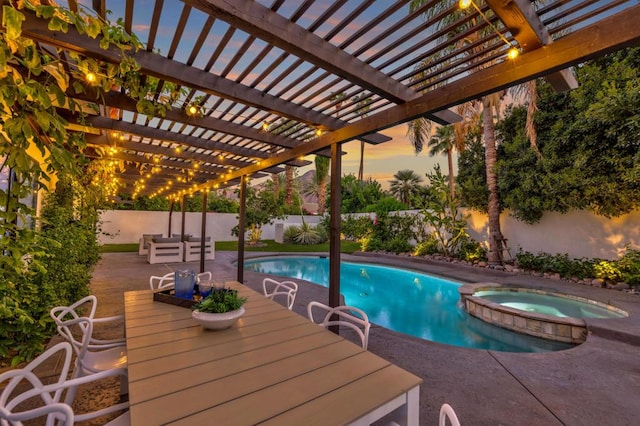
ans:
x=92 y=355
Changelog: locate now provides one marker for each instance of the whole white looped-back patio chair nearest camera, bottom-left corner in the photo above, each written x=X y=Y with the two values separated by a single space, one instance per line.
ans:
x=47 y=398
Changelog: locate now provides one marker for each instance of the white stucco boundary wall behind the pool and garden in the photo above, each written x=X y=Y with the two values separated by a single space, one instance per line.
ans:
x=578 y=233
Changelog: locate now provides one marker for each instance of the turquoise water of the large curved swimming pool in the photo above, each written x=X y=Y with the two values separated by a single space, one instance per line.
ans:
x=406 y=301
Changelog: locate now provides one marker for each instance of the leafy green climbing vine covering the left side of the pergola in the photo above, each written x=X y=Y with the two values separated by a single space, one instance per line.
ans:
x=37 y=148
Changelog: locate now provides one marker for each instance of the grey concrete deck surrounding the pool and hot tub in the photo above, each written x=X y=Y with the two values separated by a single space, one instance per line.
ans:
x=595 y=383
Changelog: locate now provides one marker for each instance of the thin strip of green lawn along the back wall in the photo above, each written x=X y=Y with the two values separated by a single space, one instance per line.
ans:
x=345 y=247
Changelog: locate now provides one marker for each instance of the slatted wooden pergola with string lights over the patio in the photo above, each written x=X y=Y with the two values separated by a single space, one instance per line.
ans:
x=304 y=68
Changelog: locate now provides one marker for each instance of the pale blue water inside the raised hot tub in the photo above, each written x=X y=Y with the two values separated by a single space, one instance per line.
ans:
x=548 y=304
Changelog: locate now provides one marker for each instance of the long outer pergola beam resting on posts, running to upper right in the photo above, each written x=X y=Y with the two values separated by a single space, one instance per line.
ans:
x=608 y=35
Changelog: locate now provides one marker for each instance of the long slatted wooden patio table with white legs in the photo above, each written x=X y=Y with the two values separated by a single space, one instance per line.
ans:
x=273 y=367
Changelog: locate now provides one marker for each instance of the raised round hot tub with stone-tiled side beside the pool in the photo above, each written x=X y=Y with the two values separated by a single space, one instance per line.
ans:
x=539 y=313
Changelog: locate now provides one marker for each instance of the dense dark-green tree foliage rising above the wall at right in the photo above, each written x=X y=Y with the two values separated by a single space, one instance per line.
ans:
x=588 y=142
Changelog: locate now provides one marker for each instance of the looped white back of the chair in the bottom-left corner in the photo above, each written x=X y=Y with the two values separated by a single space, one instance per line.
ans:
x=12 y=412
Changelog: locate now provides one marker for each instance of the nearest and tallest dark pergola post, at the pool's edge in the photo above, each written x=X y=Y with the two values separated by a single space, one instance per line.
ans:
x=334 y=223
